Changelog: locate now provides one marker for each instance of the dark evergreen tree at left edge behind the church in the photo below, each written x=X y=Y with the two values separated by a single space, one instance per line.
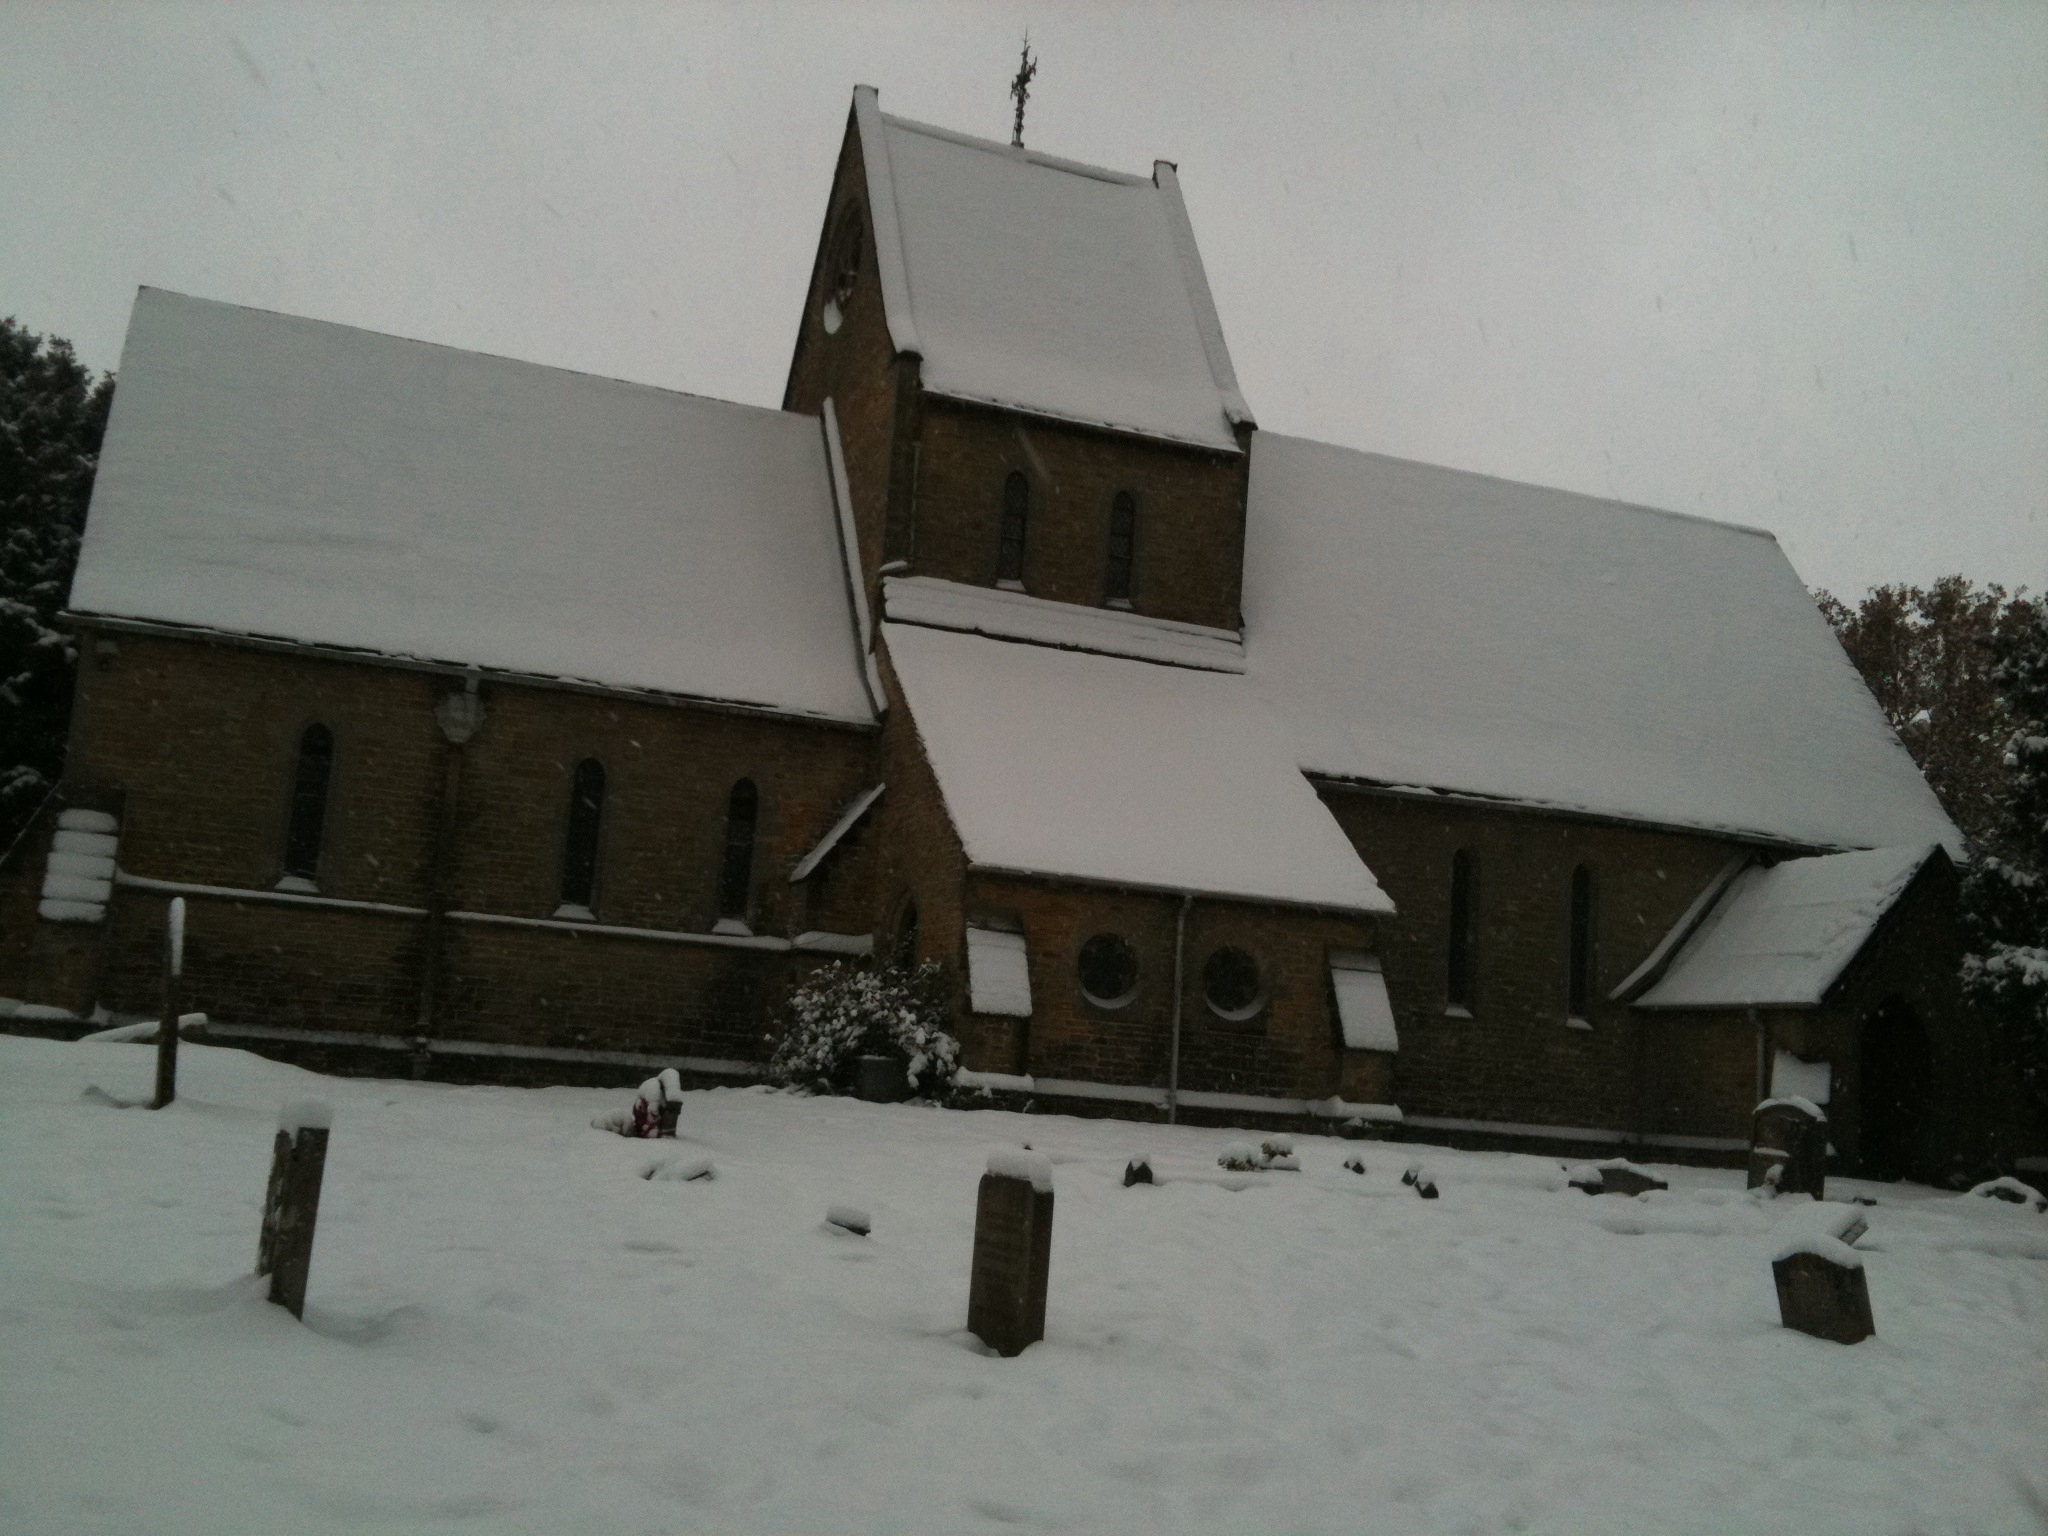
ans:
x=52 y=421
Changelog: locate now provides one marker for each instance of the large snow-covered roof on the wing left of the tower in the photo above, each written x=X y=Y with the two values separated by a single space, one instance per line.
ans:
x=300 y=480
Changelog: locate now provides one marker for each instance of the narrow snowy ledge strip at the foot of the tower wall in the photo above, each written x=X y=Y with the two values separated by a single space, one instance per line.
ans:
x=1068 y=626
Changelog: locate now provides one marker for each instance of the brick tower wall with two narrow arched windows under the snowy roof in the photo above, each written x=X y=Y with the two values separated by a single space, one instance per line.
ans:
x=1191 y=505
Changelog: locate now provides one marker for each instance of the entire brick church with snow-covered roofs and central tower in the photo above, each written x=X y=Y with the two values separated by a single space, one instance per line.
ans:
x=505 y=722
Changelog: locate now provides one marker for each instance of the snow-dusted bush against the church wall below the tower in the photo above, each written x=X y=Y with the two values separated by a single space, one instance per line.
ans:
x=845 y=1013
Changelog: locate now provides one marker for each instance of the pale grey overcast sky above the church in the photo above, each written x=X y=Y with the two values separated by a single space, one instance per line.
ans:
x=1773 y=263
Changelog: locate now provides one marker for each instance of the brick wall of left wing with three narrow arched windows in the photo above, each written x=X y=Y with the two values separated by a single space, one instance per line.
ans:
x=202 y=740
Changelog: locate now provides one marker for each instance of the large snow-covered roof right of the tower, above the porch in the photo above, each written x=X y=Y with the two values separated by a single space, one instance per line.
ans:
x=1422 y=626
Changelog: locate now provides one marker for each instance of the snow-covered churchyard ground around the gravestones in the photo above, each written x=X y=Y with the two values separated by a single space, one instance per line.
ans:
x=509 y=1330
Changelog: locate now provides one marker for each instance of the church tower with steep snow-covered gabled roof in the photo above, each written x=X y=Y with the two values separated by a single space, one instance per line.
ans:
x=1027 y=376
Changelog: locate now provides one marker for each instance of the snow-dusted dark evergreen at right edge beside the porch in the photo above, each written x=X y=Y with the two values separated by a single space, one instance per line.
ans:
x=2006 y=894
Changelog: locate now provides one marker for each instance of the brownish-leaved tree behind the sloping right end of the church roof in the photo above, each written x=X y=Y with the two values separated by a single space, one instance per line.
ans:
x=1928 y=658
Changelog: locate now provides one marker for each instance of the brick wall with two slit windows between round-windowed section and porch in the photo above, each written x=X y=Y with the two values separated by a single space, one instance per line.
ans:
x=1517 y=1060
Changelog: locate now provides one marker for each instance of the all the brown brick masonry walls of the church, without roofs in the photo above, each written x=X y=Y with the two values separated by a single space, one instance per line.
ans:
x=194 y=744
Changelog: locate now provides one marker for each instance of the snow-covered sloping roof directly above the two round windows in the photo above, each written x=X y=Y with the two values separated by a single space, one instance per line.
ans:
x=1125 y=773
